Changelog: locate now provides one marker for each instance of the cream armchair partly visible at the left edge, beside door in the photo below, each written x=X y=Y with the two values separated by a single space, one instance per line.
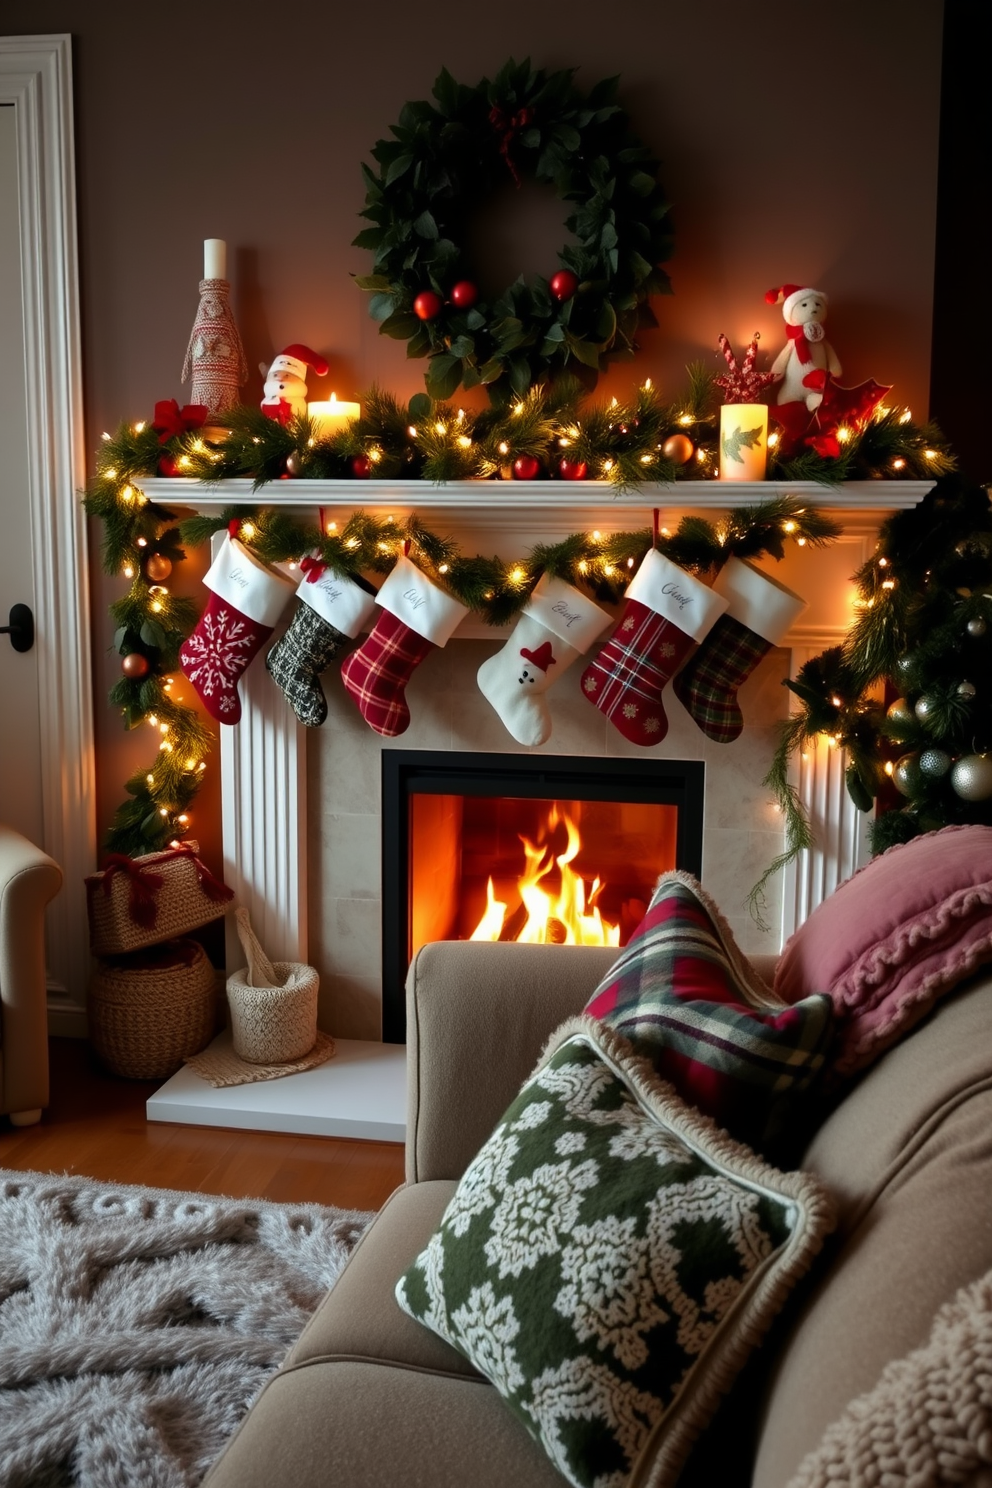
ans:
x=29 y=880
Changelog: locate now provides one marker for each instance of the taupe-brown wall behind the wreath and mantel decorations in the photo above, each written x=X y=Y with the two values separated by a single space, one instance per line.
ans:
x=798 y=144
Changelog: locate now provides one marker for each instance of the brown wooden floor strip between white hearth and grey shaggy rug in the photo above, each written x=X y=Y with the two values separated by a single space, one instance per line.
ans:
x=96 y=1127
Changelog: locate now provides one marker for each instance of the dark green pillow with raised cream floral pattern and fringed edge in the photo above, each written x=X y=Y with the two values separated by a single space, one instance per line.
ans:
x=609 y=1261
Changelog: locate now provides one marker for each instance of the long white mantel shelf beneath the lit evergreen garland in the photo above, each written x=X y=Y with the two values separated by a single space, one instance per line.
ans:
x=505 y=502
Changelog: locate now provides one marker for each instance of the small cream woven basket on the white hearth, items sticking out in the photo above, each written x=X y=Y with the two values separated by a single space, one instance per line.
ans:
x=273 y=1005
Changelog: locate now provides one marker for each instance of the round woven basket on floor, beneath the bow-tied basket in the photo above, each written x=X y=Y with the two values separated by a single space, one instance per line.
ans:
x=148 y=1013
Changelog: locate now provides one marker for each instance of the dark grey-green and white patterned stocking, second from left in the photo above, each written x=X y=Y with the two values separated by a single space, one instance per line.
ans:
x=331 y=612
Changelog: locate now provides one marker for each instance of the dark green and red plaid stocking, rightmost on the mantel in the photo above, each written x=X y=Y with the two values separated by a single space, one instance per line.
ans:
x=759 y=614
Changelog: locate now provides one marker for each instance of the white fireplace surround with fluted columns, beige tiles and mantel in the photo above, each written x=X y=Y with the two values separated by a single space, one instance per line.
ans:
x=303 y=809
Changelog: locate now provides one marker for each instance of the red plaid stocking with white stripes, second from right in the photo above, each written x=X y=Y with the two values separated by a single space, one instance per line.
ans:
x=667 y=612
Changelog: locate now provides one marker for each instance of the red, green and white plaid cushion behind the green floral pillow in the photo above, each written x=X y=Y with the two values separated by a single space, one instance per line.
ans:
x=686 y=998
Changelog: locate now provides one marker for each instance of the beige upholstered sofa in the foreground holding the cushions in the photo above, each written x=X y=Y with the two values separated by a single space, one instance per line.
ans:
x=370 y=1398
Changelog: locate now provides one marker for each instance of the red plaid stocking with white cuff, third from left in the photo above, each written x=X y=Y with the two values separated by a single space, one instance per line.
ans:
x=417 y=618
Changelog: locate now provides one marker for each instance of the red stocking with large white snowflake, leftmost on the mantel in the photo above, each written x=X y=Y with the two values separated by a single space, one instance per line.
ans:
x=246 y=602
